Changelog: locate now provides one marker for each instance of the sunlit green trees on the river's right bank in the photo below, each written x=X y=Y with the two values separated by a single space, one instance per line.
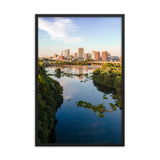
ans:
x=110 y=76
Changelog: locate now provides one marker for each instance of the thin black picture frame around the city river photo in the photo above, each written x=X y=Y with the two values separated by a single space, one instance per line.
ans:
x=123 y=75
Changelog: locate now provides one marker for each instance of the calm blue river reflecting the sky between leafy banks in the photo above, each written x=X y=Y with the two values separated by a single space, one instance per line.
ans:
x=79 y=125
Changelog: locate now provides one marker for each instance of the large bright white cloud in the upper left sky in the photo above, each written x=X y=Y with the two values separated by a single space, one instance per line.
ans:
x=59 y=29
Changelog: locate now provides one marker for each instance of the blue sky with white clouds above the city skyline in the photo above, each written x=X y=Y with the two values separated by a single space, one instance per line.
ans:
x=91 y=33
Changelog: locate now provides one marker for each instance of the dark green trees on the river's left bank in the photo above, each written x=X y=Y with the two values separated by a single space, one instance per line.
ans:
x=49 y=99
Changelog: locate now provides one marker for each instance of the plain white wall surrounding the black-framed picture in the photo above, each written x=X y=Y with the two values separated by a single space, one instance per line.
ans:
x=142 y=79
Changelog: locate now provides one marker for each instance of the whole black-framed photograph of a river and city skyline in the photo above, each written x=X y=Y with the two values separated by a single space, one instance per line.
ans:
x=79 y=79
